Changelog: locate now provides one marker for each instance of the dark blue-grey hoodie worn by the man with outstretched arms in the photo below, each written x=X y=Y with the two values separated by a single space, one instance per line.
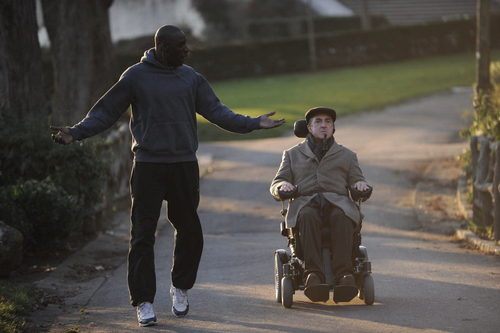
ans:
x=164 y=103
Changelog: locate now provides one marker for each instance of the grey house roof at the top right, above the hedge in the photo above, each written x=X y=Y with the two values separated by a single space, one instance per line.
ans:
x=406 y=12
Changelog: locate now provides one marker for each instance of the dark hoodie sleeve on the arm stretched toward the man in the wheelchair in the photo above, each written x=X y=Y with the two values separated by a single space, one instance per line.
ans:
x=209 y=106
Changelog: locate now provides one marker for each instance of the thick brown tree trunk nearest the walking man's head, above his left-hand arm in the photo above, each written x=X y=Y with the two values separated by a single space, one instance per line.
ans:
x=82 y=53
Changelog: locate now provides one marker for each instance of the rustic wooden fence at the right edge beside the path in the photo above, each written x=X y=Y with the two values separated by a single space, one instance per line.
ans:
x=486 y=179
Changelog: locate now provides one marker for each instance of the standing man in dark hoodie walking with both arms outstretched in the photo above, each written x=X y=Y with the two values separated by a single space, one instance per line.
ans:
x=165 y=96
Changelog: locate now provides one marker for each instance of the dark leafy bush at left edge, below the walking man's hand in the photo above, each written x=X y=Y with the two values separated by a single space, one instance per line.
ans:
x=47 y=190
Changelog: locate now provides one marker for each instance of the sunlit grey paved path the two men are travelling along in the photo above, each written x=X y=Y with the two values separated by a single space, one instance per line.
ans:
x=423 y=282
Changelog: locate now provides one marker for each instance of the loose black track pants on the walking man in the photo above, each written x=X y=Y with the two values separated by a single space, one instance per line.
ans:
x=150 y=184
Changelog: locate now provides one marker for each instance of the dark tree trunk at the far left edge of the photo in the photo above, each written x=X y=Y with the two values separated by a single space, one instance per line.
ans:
x=21 y=79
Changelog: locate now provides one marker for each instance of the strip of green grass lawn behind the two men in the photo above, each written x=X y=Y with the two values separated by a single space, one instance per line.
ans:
x=346 y=90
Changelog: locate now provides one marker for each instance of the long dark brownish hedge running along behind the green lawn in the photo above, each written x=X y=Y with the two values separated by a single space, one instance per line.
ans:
x=347 y=48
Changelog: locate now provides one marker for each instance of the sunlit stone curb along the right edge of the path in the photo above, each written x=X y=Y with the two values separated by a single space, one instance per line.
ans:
x=483 y=245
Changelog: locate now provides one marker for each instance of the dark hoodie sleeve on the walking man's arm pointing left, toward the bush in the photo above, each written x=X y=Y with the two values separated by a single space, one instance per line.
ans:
x=106 y=111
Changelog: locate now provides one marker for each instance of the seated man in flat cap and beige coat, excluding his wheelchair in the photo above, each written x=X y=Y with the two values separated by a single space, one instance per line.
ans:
x=317 y=174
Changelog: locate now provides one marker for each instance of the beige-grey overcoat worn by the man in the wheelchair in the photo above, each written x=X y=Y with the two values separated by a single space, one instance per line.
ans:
x=338 y=169
